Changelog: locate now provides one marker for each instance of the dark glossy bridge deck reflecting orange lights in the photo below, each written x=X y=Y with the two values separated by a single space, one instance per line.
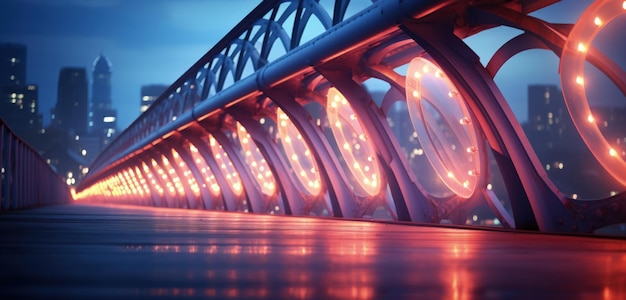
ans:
x=84 y=251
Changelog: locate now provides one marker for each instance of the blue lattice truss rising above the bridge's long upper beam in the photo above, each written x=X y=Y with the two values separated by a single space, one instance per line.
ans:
x=253 y=40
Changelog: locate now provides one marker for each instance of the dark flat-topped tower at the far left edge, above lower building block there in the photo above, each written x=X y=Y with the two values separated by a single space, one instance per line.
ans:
x=12 y=64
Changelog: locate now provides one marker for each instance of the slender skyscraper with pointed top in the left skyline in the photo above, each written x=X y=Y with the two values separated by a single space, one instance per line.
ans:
x=102 y=116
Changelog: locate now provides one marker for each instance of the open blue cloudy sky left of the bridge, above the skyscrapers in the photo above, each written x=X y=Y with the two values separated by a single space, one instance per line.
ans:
x=149 y=41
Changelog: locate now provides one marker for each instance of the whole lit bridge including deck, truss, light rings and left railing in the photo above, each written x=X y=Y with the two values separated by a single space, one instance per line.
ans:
x=280 y=119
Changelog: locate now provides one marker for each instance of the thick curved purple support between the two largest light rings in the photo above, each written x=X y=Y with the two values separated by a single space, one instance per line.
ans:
x=532 y=200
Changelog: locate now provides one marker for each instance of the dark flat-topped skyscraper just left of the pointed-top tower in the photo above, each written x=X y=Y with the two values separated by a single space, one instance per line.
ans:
x=70 y=112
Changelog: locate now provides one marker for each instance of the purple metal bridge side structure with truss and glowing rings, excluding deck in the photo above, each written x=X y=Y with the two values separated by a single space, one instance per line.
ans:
x=273 y=121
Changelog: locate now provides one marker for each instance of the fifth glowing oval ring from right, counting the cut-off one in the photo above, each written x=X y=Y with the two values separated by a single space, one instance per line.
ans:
x=258 y=166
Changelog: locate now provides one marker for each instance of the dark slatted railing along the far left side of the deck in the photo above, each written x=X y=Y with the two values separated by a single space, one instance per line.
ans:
x=26 y=180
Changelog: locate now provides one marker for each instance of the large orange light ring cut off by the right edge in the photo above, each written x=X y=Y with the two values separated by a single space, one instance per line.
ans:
x=572 y=64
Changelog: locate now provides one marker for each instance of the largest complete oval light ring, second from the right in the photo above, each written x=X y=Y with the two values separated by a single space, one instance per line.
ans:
x=444 y=126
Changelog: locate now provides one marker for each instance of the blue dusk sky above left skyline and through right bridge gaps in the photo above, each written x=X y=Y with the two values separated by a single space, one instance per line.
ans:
x=156 y=41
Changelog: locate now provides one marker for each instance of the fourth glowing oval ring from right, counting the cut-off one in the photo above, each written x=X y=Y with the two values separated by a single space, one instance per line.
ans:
x=299 y=155
